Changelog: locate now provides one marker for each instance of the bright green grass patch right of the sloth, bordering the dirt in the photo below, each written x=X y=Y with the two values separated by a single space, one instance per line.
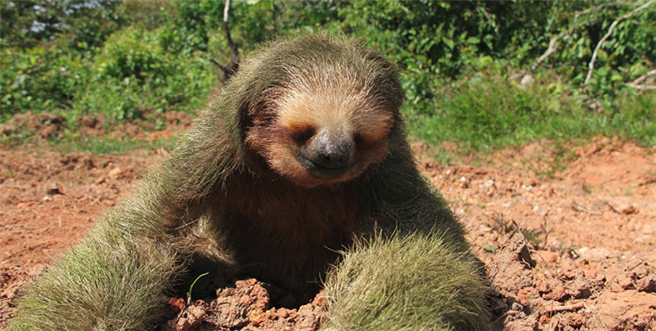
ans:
x=488 y=110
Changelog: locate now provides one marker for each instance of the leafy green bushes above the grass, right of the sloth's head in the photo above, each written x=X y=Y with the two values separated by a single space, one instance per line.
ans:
x=436 y=40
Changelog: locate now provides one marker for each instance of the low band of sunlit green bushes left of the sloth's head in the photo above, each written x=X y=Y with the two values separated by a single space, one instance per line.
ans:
x=133 y=73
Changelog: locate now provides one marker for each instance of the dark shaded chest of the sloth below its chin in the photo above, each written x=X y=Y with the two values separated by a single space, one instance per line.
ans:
x=287 y=237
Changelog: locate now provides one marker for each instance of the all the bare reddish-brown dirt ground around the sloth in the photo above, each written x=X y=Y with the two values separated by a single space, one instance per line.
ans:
x=569 y=242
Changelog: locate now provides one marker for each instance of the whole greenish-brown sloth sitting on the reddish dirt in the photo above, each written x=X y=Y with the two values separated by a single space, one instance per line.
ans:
x=298 y=172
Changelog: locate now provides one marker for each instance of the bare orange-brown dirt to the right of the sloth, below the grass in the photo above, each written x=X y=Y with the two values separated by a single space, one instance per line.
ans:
x=568 y=236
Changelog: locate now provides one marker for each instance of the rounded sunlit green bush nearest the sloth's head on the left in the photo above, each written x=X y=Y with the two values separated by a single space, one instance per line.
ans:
x=135 y=73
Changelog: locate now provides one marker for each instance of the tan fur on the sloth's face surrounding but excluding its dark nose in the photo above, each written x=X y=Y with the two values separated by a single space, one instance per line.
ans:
x=334 y=103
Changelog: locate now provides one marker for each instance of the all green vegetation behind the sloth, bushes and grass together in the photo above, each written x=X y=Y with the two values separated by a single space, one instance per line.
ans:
x=484 y=74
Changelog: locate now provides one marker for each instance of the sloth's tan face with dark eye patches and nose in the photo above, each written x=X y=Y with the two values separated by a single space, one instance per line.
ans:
x=326 y=138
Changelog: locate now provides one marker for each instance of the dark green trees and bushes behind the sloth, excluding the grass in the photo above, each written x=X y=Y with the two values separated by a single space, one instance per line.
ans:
x=64 y=55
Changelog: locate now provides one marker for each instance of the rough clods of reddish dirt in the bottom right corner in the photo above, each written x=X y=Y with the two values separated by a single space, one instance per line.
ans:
x=543 y=291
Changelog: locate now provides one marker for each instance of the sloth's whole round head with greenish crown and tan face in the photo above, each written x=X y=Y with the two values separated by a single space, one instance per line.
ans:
x=326 y=111
